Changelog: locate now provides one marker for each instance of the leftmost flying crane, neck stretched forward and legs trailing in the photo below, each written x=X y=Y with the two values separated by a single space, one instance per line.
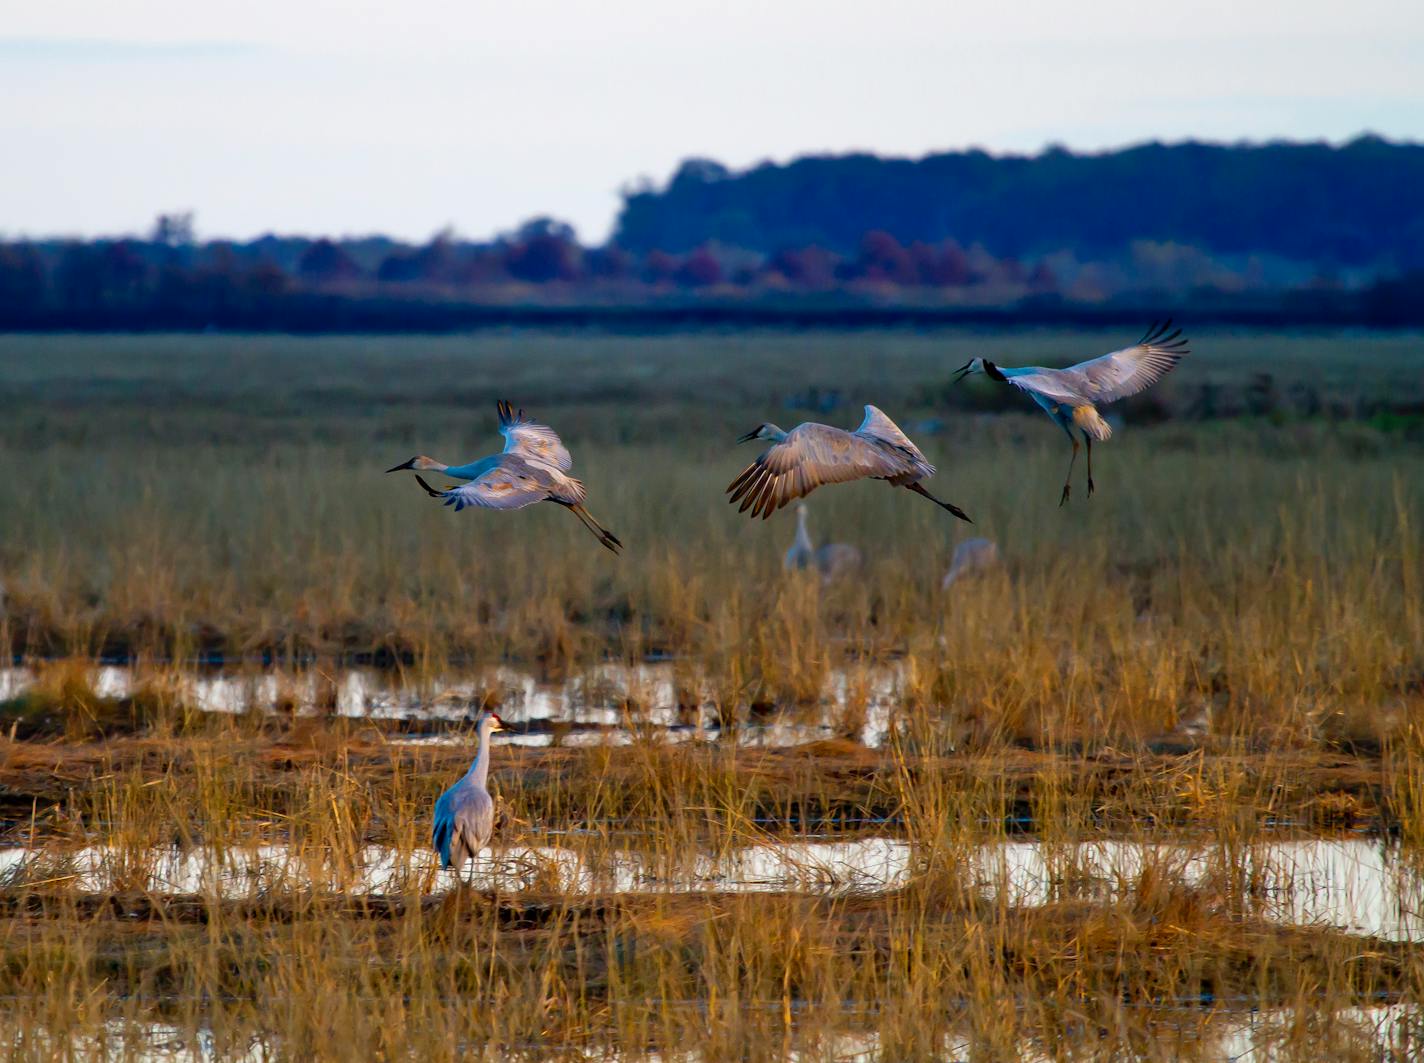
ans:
x=532 y=468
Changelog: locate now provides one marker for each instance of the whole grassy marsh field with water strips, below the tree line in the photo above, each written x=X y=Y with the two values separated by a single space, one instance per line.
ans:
x=1153 y=706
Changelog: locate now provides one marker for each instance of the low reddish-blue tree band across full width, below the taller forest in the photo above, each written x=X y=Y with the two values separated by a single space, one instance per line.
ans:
x=378 y=284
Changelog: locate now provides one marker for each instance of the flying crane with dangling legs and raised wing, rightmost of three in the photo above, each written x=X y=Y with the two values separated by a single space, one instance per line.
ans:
x=1072 y=397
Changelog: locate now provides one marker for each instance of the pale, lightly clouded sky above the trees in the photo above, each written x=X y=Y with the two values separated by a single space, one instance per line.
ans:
x=324 y=118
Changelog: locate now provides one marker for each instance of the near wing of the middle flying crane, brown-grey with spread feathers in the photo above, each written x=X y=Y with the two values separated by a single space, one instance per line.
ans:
x=810 y=457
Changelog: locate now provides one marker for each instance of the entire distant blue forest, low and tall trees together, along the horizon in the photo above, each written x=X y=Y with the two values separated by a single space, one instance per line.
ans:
x=1281 y=233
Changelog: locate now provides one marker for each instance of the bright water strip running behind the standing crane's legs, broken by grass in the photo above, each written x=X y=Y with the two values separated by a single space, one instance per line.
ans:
x=1346 y=884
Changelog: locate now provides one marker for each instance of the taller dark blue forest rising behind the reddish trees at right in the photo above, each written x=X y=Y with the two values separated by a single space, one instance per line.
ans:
x=1358 y=204
